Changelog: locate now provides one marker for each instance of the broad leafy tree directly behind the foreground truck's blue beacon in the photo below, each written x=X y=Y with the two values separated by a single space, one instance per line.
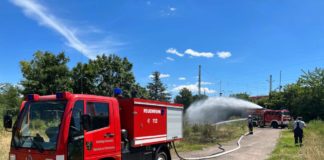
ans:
x=101 y=75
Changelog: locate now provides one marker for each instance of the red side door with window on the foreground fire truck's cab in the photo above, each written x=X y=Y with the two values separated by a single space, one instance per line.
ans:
x=100 y=140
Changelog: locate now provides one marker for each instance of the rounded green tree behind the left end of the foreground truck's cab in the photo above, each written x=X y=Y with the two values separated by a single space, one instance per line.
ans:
x=46 y=73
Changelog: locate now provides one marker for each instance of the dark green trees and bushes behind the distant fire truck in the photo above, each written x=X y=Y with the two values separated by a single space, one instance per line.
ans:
x=303 y=98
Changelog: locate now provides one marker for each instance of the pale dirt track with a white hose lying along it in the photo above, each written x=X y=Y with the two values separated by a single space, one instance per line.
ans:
x=253 y=147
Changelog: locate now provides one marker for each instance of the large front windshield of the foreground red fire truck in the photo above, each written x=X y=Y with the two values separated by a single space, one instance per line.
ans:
x=38 y=125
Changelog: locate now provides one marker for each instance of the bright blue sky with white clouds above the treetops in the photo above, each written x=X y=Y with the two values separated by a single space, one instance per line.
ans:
x=238 y=44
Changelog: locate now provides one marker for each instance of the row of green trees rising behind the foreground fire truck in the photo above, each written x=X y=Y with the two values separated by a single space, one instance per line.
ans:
x=48 y=73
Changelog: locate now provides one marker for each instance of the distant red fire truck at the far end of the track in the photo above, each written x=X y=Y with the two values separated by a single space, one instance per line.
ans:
x=272 y=118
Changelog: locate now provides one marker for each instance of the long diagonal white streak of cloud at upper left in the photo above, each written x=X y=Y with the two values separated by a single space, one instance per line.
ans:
x=44 y=17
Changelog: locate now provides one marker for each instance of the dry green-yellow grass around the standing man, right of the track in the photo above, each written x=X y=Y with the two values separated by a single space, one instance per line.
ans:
x=313 y=148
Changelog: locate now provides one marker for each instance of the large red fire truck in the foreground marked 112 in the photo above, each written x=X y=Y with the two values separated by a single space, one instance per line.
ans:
x=70 y=126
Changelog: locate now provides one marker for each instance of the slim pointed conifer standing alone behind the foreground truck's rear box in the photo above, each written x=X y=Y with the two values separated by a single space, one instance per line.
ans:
x=156 y=89
